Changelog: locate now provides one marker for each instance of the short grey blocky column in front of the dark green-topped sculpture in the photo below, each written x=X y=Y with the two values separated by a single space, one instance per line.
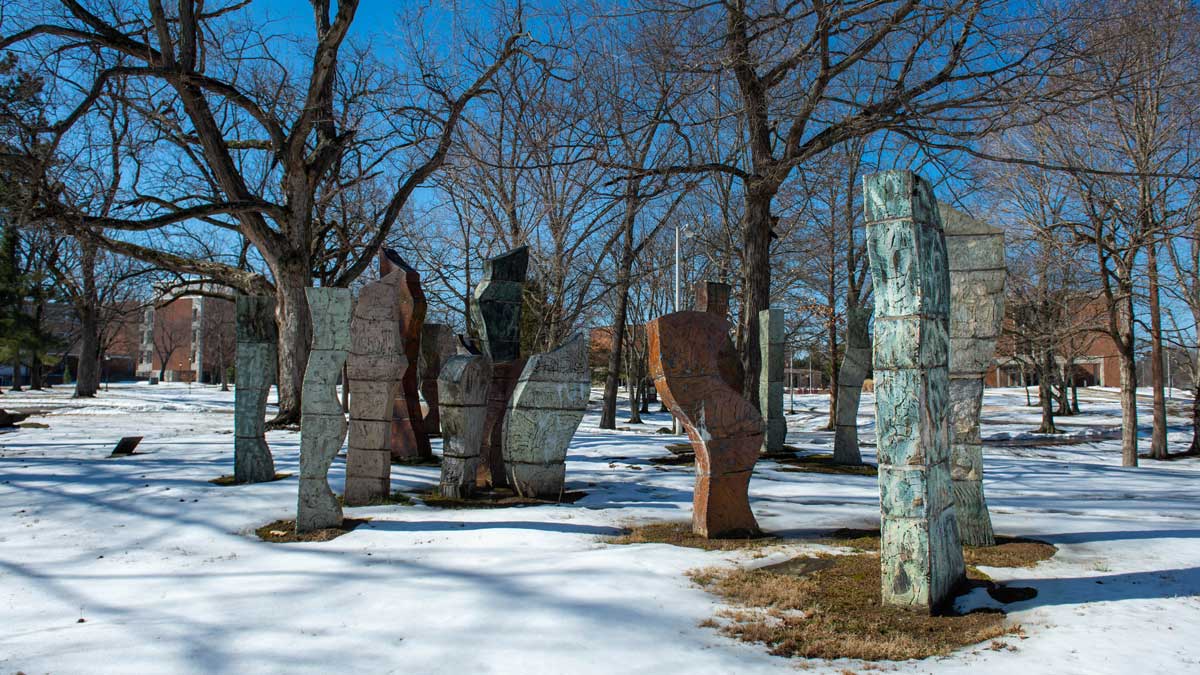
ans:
x=463 y=386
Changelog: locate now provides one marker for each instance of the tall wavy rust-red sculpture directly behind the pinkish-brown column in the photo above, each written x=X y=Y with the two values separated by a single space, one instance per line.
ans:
x=409 y=439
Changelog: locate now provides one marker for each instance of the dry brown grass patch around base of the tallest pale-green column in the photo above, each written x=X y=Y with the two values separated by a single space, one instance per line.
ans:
x=829 y=607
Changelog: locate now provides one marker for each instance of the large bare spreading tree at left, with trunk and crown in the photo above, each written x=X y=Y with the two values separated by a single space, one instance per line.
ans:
x=248 y=132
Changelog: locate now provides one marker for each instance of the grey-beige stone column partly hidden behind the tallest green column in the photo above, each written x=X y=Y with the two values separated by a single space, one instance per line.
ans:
x=976 y=252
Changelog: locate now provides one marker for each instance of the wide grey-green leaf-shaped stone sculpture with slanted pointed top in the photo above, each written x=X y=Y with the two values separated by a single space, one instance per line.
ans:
x=547 y=409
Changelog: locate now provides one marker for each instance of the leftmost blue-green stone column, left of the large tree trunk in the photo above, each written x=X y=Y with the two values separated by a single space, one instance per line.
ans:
x=257 y=365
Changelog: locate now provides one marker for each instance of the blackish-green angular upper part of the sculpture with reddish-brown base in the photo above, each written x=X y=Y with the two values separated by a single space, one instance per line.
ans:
x=497 y=307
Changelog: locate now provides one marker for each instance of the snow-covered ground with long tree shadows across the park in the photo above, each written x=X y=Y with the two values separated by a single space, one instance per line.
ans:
x=166 y=574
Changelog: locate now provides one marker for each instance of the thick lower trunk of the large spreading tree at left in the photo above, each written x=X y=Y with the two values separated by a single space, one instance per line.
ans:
x=296 y=339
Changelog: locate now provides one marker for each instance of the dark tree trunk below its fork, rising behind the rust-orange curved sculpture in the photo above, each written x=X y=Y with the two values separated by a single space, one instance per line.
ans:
x=757 y=228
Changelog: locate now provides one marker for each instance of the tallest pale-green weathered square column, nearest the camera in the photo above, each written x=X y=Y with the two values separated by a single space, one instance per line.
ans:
x=921 y=555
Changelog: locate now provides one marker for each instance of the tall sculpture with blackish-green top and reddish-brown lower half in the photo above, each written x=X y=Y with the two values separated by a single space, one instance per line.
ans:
x=497 y=315
